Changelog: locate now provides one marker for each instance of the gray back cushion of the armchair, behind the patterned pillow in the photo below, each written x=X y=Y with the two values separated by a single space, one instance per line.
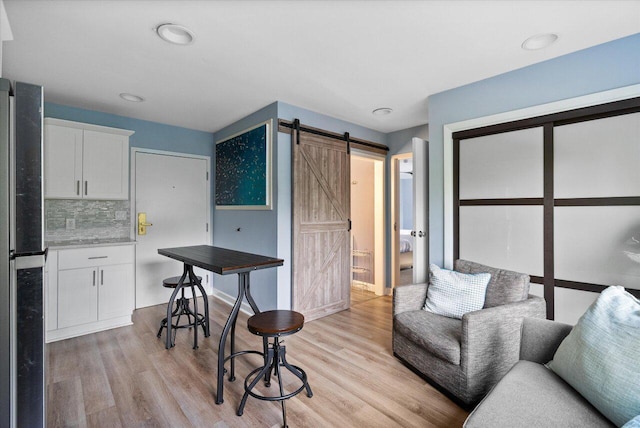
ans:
x=504 y=287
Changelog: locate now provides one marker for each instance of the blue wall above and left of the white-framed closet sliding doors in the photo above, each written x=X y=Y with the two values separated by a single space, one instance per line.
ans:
x=608 y=66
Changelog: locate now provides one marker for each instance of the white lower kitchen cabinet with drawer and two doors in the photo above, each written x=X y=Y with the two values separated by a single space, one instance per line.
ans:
x=95 y=290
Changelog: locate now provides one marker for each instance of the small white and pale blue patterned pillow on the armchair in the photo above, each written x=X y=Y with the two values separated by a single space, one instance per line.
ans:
x=453 y=294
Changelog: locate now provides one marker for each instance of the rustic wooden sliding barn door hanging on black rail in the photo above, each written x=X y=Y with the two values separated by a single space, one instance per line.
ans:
x=321 y=210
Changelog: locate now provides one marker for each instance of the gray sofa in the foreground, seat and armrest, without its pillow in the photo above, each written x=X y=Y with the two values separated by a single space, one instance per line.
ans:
x=530 y=395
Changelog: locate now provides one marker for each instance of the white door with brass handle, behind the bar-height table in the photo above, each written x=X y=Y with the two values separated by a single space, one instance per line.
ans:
x=173 y=190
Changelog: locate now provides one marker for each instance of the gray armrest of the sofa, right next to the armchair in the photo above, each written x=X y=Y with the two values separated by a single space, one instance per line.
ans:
x=540 y=339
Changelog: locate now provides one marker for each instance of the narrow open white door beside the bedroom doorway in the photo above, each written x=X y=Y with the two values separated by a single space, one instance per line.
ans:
x=420 y=210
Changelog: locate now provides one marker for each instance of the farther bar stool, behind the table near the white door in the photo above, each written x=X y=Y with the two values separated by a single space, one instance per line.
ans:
x=183 y=309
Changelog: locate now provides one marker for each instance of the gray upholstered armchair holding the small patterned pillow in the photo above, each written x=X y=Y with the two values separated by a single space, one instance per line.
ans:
x=465 y=357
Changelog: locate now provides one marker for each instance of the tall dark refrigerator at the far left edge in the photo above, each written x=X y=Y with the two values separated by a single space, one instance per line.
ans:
x=22 y=257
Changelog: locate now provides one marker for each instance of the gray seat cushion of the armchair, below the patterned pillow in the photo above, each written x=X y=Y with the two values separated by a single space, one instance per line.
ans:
x=438 y=335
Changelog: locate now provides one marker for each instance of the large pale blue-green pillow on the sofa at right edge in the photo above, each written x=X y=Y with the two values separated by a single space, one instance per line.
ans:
x=600 y=358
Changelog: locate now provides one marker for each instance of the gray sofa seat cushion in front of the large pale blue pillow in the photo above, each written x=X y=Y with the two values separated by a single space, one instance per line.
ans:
x=530 y=395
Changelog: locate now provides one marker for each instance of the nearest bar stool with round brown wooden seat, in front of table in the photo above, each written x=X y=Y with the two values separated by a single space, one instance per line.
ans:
x=274 y=325
